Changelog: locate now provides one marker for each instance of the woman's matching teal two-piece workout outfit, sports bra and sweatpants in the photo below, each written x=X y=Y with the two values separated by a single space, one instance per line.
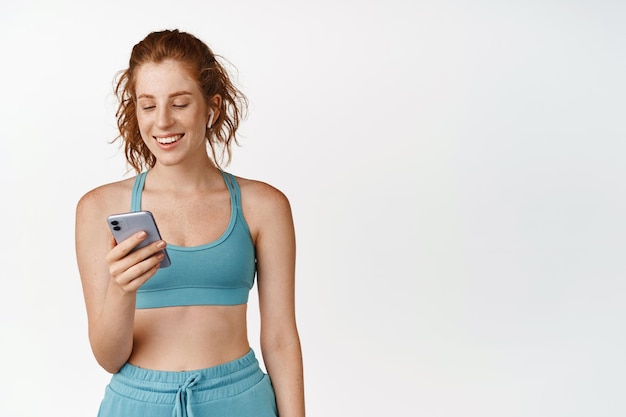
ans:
x=218 y=273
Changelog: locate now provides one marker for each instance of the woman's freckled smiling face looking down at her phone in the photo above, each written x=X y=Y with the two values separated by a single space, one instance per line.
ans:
x=171 y=112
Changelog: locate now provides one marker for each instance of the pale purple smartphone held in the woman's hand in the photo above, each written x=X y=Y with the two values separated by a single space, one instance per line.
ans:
x=124 y=225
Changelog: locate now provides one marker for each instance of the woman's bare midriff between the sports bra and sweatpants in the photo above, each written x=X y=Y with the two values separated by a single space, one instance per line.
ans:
x=189 y=337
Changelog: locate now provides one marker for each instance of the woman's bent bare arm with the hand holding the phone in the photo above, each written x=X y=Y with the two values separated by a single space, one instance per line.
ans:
x=110 y=280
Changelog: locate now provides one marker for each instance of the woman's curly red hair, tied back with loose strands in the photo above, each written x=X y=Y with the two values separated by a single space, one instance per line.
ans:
x=212 y=79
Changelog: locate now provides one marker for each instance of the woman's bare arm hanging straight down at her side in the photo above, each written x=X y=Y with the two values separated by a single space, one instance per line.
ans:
x=280 y=342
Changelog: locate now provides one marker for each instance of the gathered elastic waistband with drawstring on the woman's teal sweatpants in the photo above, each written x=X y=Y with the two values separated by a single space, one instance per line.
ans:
x=180 y=388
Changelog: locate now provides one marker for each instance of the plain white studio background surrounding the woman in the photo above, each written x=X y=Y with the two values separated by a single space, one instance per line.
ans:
x=455 y=168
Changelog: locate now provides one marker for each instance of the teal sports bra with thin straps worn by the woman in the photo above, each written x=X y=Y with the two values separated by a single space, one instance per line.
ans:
x=217 y=273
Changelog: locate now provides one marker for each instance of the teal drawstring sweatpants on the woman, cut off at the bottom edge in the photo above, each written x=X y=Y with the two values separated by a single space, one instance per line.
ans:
x=237 y=388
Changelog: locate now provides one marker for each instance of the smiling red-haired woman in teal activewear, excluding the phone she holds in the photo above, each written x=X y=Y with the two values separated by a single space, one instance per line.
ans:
x=176 y=338
